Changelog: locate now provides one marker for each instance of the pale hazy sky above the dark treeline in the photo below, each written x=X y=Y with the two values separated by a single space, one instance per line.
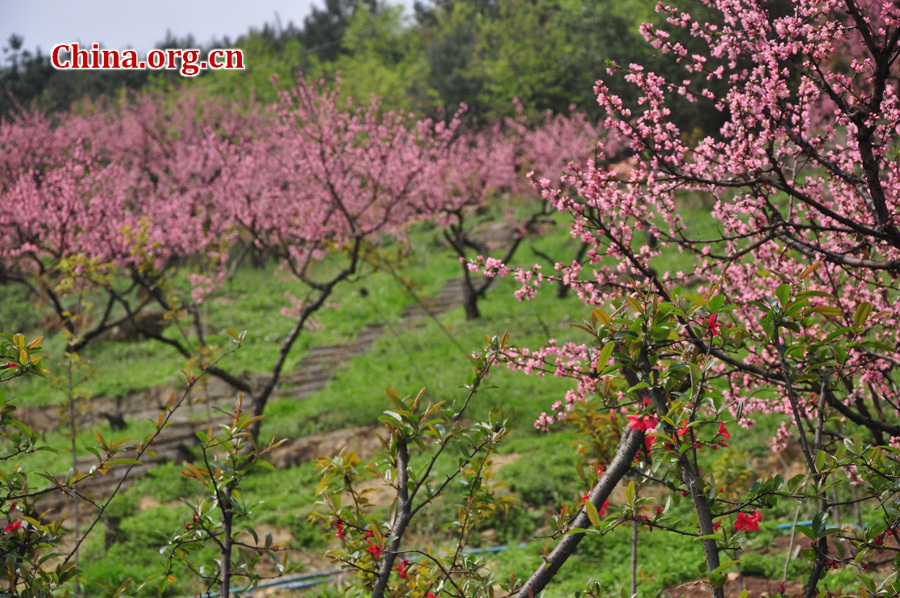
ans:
x=119 y=24
